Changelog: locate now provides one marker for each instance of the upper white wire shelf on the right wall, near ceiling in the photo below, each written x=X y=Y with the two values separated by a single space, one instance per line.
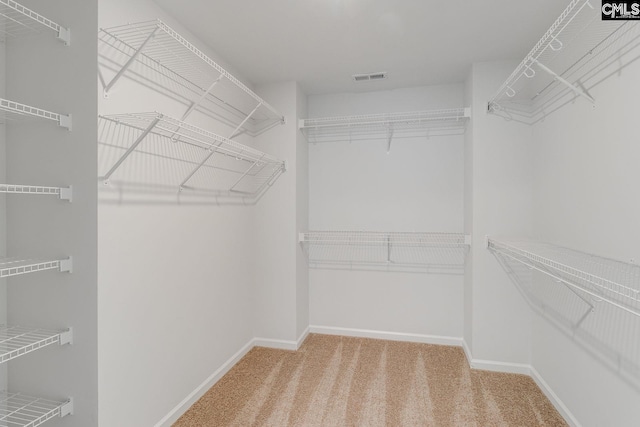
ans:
x=569 y=59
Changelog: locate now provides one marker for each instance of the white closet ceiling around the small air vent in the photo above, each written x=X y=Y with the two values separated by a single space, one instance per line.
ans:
x=321 y=43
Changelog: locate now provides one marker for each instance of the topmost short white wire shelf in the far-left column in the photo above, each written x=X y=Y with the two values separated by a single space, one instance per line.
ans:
x=17 y=20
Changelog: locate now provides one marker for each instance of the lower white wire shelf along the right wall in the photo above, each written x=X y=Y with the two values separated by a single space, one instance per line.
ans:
x=614 y=282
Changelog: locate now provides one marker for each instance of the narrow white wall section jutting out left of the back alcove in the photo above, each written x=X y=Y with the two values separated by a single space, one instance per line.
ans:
x=279 y=296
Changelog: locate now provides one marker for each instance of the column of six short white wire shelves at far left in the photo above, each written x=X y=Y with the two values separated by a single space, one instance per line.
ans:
x=16 y=409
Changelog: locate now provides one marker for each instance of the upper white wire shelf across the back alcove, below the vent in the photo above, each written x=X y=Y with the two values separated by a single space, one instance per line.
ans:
x=386 y=126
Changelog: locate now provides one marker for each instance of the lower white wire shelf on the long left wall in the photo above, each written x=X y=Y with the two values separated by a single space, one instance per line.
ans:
x=184 y=156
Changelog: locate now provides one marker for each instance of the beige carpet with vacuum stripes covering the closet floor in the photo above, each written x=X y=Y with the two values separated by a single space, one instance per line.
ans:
x=340 y=381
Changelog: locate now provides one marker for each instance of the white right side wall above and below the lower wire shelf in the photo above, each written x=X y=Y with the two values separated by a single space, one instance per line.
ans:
x=586 y=198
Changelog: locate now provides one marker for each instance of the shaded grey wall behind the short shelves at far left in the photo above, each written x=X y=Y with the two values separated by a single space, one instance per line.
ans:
x=43 y=72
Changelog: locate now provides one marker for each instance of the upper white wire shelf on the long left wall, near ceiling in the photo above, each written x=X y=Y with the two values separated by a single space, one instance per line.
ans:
x=154 y=53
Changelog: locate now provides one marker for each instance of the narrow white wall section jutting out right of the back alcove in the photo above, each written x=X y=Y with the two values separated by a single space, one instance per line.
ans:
x=502 y=206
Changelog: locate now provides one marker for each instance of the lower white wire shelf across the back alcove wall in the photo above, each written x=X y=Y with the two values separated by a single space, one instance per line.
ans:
x=391 y=250
